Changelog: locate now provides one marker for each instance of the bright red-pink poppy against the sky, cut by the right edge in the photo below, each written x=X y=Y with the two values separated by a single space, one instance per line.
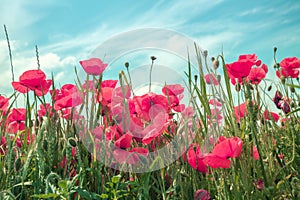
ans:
x=289 y=68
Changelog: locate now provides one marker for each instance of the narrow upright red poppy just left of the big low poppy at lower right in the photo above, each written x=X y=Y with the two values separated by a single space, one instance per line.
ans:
x=195 y=158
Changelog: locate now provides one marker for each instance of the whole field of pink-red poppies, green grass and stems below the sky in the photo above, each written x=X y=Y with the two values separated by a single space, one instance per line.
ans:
x=237 y=136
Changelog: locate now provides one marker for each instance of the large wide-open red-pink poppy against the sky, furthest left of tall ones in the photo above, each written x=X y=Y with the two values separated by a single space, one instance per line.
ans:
x=33 y=80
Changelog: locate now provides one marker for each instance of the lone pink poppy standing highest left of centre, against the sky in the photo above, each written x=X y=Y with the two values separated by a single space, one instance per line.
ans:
x=93 y=66
